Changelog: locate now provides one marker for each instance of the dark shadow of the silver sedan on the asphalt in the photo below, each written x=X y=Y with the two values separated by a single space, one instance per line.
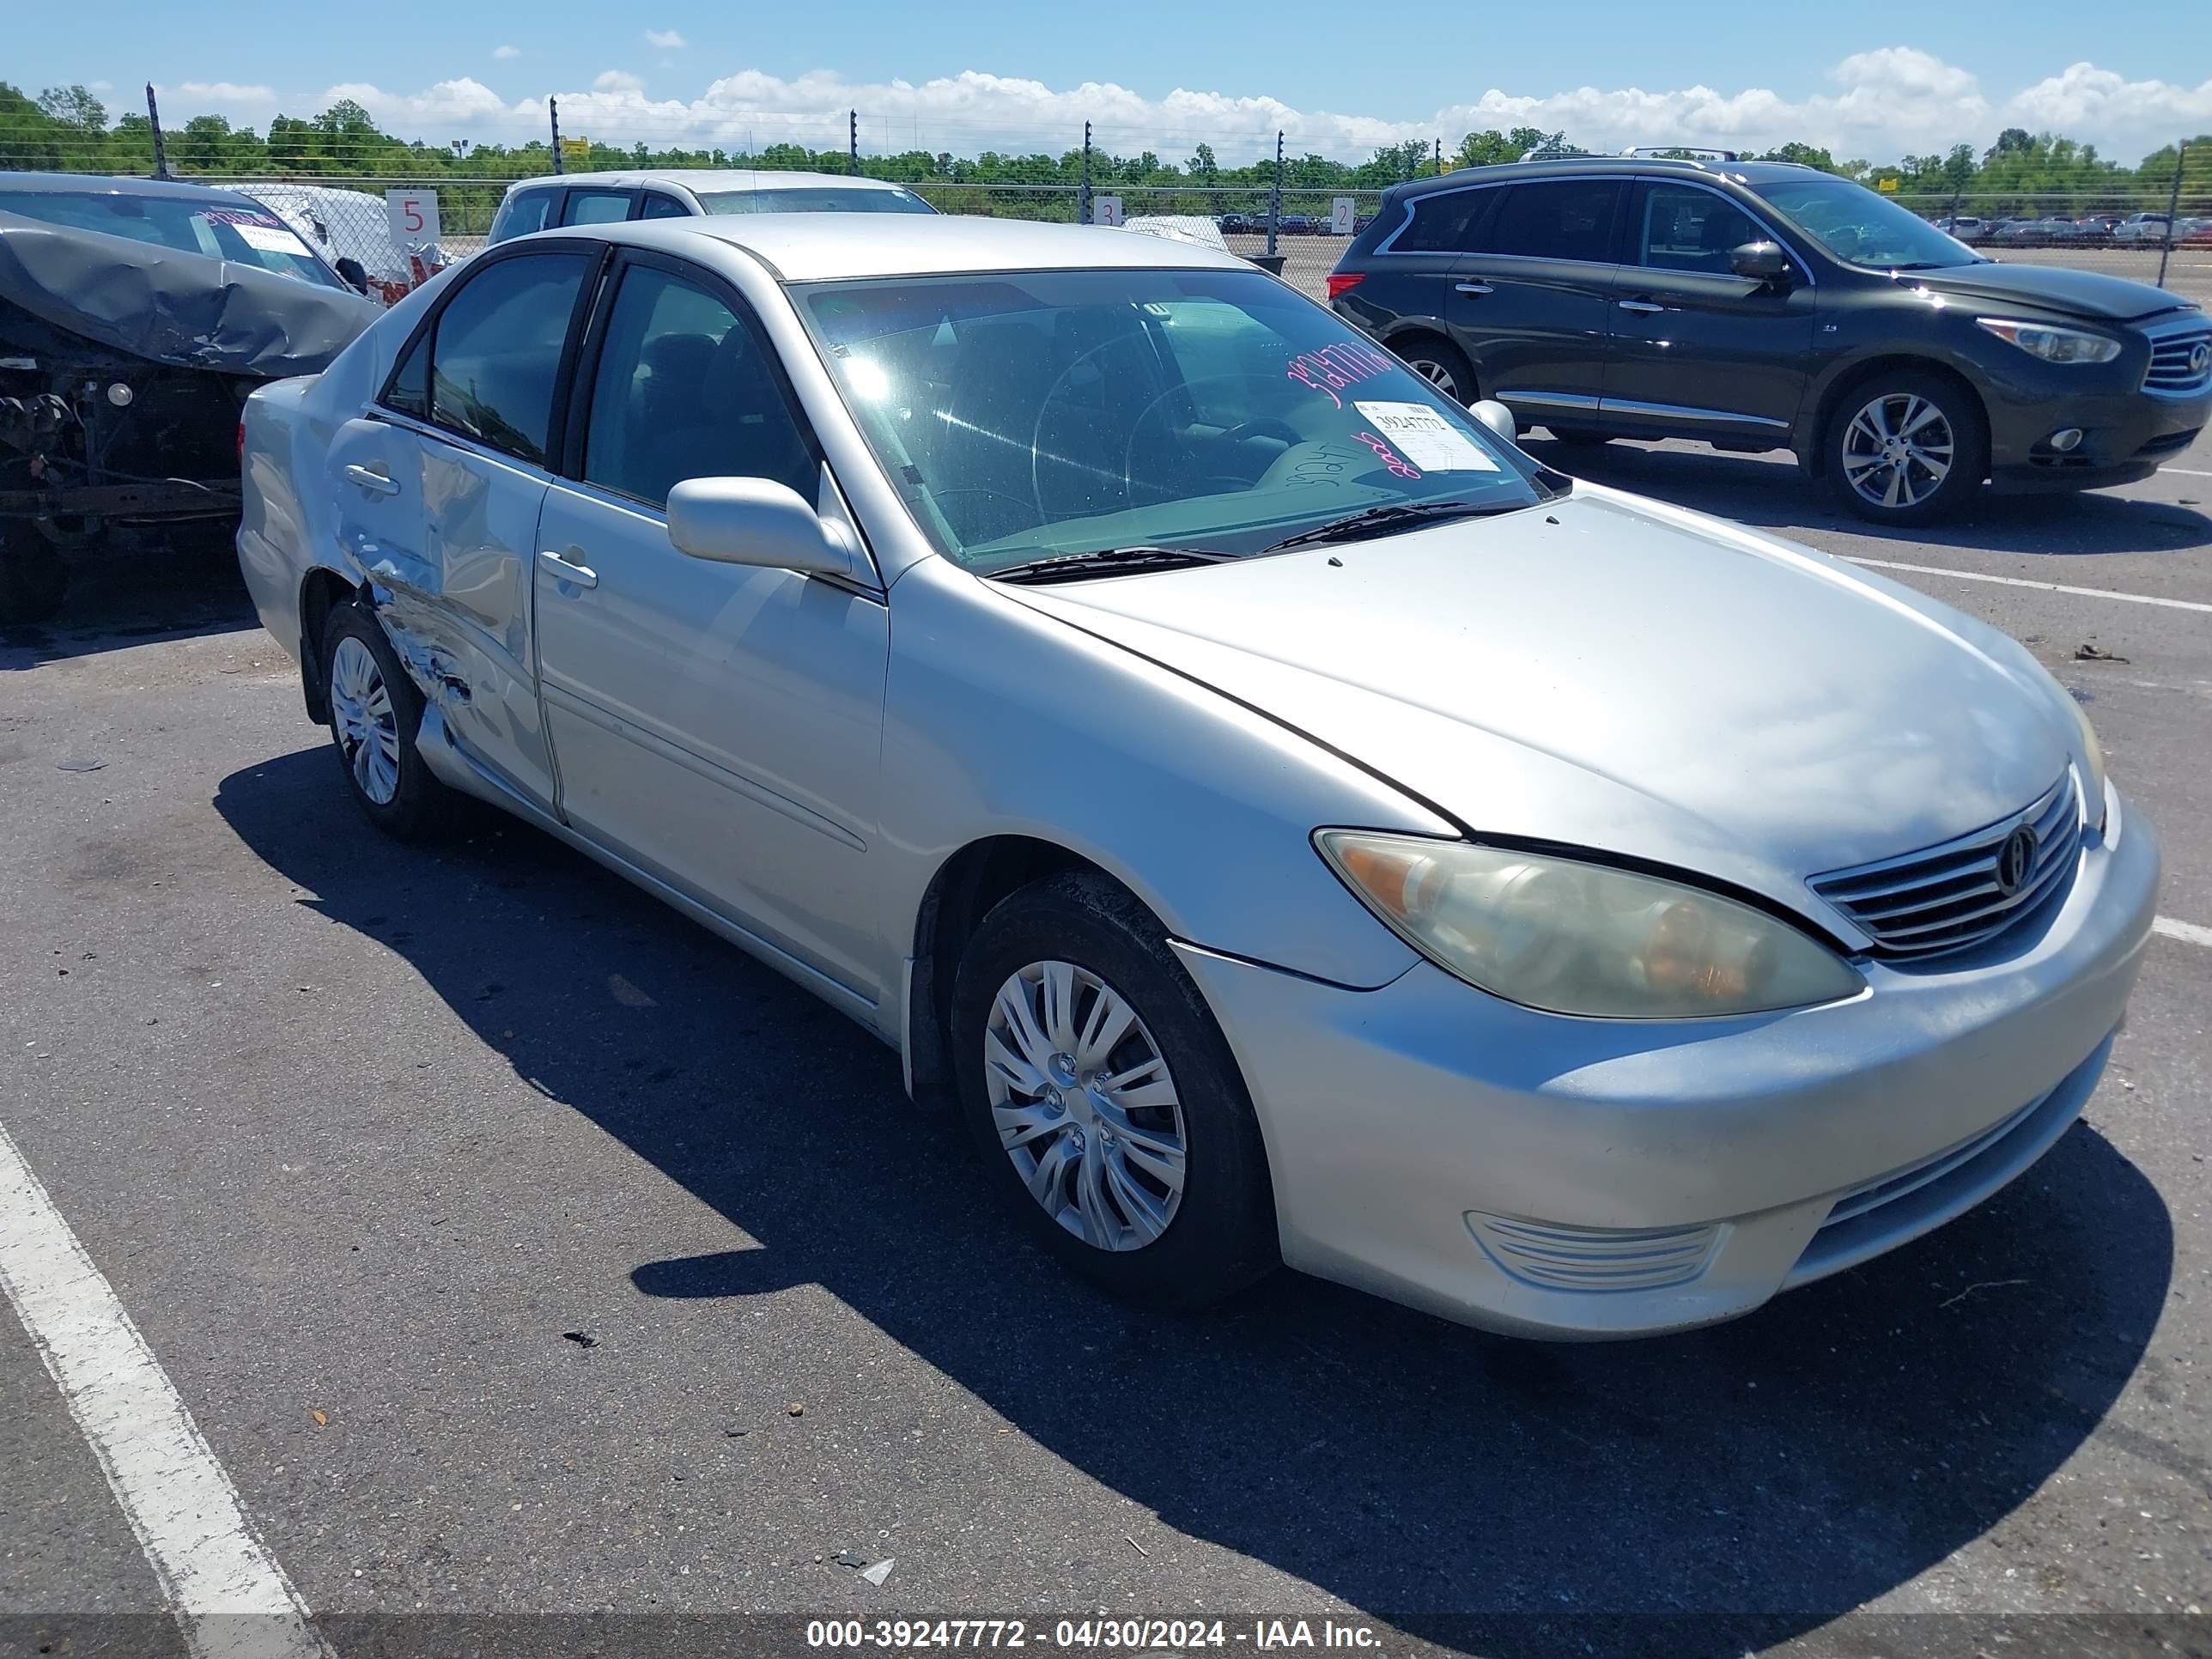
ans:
x=1485 y=1494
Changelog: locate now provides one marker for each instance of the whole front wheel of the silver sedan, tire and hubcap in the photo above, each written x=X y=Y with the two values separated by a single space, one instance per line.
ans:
x=1105 y=1100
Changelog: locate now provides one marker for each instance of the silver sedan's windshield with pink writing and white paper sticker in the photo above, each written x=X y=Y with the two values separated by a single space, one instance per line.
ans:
x=1045 y=415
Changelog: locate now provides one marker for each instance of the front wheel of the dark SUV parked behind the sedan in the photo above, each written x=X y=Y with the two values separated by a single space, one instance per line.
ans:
x=1908 y=450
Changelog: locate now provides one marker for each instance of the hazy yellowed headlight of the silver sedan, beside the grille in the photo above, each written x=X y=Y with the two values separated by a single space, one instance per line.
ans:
x=1583 y=939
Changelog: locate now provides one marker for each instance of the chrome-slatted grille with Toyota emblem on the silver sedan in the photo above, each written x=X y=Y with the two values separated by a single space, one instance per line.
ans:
x=1950 y=897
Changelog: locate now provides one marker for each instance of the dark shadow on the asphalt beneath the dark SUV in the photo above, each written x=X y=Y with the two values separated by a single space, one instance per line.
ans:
x=1771 y=494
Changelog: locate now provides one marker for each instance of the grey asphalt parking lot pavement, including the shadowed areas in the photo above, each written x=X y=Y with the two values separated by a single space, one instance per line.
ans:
x=521 y=1249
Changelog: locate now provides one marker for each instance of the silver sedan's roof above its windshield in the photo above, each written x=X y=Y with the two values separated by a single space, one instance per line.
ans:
x=826 y=247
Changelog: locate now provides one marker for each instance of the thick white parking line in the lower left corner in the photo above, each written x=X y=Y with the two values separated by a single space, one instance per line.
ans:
x=227 y=1592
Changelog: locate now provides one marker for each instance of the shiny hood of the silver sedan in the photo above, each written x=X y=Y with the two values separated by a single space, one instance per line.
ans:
x=1620 y=676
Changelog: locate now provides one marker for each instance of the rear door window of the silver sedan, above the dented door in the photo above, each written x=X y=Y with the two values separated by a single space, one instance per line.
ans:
x=494 y=359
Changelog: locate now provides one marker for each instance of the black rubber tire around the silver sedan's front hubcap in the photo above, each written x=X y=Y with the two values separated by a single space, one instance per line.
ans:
x=1220 y=1235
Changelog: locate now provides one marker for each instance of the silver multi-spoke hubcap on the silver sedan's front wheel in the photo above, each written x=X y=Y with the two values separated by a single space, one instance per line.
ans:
x=1085 y=1105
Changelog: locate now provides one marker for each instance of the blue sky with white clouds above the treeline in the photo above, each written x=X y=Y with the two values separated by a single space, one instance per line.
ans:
x=1726 y=70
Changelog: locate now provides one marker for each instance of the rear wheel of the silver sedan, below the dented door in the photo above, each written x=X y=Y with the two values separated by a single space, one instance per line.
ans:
x=375 y=716
